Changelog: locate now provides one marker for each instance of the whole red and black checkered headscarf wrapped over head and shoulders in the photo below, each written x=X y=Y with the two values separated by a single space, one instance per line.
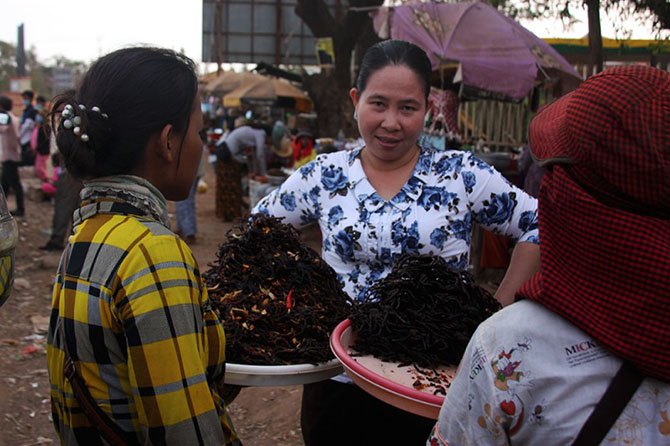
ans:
x=604 y=212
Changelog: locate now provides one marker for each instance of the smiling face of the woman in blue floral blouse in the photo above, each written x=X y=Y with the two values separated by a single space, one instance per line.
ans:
x=391 y=111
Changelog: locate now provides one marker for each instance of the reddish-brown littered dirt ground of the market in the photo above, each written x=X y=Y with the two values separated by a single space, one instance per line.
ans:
x=263 y=416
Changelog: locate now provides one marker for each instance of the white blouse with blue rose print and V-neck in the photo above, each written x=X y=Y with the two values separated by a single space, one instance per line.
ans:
x=432 y=214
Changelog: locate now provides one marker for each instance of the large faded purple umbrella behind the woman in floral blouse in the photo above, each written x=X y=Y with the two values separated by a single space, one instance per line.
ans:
x=495 y=53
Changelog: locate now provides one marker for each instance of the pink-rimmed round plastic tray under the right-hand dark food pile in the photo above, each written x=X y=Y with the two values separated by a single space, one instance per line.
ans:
x=387 y=381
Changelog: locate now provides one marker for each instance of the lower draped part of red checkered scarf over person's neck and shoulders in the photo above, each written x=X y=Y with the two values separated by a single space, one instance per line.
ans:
x=605 y=270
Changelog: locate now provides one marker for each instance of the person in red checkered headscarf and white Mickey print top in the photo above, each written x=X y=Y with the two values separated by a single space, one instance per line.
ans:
x=583 y=356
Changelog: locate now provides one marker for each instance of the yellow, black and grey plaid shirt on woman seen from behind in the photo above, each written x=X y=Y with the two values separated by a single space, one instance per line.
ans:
x=146 y=342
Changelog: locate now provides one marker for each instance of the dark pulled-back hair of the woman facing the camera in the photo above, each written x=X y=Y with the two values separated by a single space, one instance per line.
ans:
x=395 y=52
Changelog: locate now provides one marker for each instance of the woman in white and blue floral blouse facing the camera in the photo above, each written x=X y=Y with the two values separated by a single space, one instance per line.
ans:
x=391 y=197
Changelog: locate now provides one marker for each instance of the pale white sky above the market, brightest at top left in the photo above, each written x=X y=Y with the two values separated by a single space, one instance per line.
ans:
x=86 y=29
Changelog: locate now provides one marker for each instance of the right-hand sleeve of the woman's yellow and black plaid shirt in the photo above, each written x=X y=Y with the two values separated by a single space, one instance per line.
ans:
x=171 y=336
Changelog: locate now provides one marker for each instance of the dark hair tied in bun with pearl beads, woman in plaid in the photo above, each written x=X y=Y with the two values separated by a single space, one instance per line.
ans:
x=138 y=92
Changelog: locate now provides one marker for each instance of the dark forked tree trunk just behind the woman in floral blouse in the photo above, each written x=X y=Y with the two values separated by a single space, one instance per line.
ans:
x=329 y=90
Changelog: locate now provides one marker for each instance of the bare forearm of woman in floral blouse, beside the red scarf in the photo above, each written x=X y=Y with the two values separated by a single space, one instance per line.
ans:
x=524 y=264
